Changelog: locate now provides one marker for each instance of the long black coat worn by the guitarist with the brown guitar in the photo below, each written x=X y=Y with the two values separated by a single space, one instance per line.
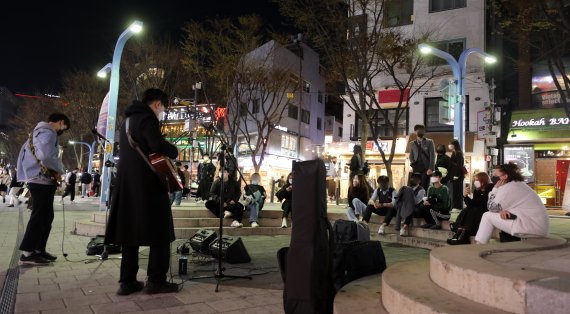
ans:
x=140 y=209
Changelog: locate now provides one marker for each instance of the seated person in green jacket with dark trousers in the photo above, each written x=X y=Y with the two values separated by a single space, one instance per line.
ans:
x=435 y=207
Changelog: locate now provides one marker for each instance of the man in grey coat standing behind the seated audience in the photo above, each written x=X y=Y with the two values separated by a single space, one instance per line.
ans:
x=422 y=155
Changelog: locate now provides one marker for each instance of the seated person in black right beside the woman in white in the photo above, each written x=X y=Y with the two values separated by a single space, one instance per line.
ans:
x=468 y=221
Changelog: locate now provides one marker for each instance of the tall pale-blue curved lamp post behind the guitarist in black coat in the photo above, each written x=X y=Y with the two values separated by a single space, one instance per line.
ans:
x=134 y=28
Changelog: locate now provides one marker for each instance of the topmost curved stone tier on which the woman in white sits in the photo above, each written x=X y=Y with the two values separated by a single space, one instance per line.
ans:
x=464 y=270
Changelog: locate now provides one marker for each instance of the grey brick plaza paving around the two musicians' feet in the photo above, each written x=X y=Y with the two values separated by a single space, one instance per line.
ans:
x=77 y=287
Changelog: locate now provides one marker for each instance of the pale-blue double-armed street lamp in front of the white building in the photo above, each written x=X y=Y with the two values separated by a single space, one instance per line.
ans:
x=459 y=70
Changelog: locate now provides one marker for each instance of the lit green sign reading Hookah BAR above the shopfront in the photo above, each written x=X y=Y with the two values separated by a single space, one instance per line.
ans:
x=544 y=125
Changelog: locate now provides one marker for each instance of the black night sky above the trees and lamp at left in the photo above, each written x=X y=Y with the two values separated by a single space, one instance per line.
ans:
x=43 y=39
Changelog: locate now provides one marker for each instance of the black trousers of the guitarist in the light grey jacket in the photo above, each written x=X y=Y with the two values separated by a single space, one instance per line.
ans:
x=39 y=226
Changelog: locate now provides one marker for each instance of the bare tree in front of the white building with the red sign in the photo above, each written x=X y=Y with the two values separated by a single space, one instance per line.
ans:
x=362 y=52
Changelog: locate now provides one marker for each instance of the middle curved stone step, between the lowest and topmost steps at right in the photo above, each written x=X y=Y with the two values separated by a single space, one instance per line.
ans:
x=407 y=288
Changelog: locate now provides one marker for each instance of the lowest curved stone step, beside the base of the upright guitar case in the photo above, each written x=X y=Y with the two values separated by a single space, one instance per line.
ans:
x=361 y=296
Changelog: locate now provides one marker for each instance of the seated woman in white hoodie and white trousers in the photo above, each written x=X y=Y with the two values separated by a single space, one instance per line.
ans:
x=513 y=207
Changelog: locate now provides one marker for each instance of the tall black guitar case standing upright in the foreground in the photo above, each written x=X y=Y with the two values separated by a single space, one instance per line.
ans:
x=308 y=267
